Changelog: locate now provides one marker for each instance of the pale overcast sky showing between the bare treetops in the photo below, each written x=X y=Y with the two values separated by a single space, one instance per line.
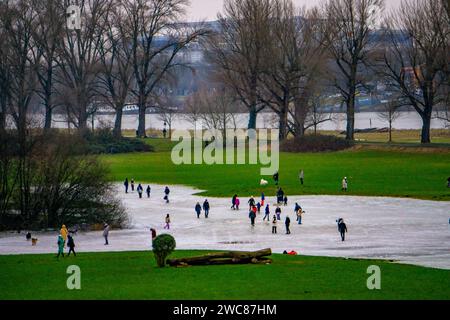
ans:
x=207 y=9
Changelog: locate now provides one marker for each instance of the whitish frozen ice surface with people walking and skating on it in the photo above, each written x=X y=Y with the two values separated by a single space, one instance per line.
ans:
x=405 y=230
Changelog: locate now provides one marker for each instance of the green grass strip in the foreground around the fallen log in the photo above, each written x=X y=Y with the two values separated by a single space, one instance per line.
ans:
x=134 y=275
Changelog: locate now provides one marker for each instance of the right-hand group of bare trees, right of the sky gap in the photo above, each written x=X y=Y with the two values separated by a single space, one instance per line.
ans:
x=270 y=54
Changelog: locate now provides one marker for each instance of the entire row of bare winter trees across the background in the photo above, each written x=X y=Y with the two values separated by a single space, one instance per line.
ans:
x=266 y=54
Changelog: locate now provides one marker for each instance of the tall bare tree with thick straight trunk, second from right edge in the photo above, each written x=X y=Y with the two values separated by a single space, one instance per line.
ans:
x=351 y=24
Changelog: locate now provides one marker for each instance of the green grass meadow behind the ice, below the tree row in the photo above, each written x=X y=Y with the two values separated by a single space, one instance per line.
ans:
x=381 y=172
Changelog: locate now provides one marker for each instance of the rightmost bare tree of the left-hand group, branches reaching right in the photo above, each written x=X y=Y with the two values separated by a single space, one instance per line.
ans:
x=156 y=40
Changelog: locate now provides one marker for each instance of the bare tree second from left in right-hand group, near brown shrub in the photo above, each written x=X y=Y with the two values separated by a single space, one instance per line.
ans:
x=294 y=58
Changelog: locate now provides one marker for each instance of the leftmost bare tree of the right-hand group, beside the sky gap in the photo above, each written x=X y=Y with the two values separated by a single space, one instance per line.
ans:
x=237 y=50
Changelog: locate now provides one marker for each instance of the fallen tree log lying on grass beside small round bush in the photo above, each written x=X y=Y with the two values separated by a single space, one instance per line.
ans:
x=229 y=257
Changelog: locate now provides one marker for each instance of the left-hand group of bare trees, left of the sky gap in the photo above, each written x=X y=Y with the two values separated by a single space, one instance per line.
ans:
x=124 y=51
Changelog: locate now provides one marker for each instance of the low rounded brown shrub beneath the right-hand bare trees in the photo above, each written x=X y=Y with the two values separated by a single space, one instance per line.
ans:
x=315 y=143
